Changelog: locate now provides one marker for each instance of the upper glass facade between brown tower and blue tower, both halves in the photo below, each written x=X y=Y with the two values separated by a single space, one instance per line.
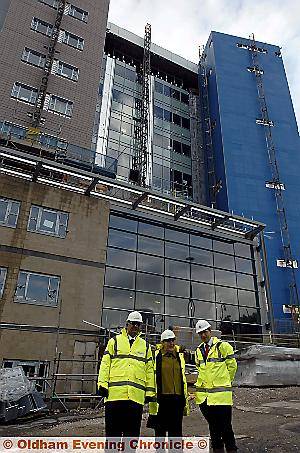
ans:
x=169 y=138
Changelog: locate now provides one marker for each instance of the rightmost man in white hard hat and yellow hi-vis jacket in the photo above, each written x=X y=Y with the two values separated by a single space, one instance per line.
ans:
x=216 y=370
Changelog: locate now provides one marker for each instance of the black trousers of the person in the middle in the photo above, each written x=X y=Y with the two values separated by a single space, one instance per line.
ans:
x=170 y=415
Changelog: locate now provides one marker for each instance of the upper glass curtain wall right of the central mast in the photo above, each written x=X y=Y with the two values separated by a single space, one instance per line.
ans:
x=171 y=140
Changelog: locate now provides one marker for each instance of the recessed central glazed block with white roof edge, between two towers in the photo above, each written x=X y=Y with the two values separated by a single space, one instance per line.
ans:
x=174 y=159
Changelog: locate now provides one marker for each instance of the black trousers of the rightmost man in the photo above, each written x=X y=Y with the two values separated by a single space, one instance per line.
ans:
x=220 y=427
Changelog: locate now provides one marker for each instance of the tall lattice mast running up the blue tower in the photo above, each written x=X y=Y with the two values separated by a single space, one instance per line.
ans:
x=278 y=186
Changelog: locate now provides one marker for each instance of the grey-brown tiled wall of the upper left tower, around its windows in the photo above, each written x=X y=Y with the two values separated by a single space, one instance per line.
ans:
x=16 y=34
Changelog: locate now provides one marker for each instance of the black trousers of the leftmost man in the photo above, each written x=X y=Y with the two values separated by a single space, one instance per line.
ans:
x=123 y=418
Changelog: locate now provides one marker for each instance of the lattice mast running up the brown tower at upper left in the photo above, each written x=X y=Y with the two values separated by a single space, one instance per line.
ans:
x=41 y=96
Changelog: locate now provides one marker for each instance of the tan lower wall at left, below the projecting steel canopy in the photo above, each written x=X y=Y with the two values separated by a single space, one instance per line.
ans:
x=79 y=261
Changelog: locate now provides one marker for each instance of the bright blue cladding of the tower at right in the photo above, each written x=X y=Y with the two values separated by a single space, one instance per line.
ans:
x=240 y=146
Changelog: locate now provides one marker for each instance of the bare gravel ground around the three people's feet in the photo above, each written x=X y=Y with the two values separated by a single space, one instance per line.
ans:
x=264 y=420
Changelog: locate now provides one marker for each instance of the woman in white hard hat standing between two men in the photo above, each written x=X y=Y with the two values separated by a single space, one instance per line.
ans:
x=172 y=396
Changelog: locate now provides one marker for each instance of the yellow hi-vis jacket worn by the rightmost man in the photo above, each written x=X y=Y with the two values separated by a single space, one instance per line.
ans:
x=216 y=374
